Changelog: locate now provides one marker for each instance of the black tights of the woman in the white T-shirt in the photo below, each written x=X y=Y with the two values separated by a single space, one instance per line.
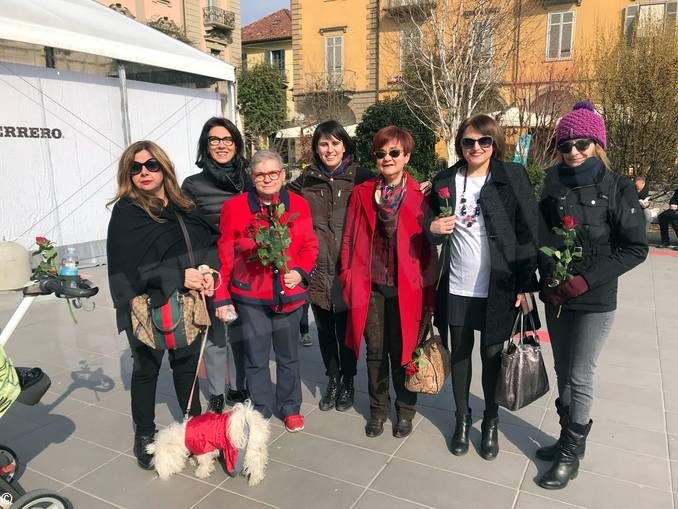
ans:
x=462 y=345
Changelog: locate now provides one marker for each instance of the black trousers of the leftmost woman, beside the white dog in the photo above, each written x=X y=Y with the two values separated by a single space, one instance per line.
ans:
x=147 y=362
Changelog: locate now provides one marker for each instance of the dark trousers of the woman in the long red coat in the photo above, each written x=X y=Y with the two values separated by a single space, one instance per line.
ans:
x=384 y=343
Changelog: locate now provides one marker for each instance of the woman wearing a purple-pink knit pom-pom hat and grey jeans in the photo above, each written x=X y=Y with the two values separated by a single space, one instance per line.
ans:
x=611 y=240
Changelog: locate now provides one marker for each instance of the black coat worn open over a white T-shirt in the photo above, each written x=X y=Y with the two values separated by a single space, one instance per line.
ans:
x=509 y=209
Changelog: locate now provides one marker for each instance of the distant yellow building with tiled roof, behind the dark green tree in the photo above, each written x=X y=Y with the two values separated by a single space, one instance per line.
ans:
x=269 y=40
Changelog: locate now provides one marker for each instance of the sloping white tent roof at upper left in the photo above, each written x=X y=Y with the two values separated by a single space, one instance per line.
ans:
x=89 y=27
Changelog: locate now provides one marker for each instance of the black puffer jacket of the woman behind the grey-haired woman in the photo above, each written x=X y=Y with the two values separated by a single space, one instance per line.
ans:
x=209 y=189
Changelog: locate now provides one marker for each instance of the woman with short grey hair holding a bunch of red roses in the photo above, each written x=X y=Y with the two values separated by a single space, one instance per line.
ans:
x=267 y=288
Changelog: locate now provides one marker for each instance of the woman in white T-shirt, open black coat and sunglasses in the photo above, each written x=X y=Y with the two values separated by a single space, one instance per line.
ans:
x=484 y=213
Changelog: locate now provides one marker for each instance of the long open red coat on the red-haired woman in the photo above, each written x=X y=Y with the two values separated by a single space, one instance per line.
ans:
x=416 y=263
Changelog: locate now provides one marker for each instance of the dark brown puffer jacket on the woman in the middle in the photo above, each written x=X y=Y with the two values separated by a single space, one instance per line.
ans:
x=328 y=199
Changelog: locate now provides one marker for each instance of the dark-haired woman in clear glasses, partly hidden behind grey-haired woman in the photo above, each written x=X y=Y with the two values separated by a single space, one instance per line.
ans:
x=223 y=177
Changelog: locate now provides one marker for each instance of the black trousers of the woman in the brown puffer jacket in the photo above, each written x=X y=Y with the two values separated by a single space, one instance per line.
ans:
x=339 y=360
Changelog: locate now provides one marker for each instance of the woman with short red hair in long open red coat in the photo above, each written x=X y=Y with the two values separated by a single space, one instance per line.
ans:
x=387 y=271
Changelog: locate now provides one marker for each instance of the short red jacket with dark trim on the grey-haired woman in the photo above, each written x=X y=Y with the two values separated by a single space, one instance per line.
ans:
x=243 y=278
